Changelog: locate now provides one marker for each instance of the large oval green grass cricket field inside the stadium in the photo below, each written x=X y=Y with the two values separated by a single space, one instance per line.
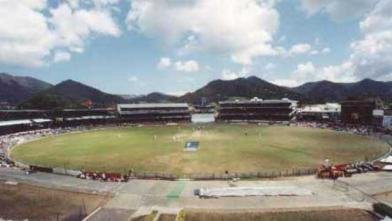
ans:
x=236 y=148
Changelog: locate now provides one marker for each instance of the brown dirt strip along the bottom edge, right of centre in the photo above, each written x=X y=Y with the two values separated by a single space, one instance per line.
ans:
x=279 y=215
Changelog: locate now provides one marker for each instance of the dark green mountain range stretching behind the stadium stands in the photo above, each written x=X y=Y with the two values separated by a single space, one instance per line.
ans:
x=27 y=92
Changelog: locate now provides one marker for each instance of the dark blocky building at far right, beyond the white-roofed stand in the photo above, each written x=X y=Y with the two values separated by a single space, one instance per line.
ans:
x=363 y=112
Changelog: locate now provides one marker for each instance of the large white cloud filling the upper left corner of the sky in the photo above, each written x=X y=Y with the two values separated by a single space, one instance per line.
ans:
x=31 y=31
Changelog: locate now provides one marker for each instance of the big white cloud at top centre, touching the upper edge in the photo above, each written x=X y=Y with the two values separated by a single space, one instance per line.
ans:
x=241 y=29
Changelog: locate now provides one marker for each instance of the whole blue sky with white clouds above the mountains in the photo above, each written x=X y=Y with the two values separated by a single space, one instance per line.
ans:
x=177 y=46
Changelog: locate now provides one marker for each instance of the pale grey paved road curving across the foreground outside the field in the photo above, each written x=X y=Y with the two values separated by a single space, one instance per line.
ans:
x=139 y=197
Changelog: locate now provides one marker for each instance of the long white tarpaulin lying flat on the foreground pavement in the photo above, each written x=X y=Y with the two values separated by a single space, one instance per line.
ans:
x=254 y=191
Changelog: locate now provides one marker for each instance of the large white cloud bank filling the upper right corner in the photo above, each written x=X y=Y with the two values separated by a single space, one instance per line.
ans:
x=371 y=55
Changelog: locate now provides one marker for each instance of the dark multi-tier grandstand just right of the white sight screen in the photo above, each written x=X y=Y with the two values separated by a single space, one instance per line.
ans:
x=256 y=110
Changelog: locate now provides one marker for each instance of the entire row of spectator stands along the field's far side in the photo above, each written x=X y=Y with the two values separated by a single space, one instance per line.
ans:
x=368 y=113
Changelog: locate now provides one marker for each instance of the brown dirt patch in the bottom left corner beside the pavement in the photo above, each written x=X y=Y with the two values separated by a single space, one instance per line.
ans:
x=22 y=201
